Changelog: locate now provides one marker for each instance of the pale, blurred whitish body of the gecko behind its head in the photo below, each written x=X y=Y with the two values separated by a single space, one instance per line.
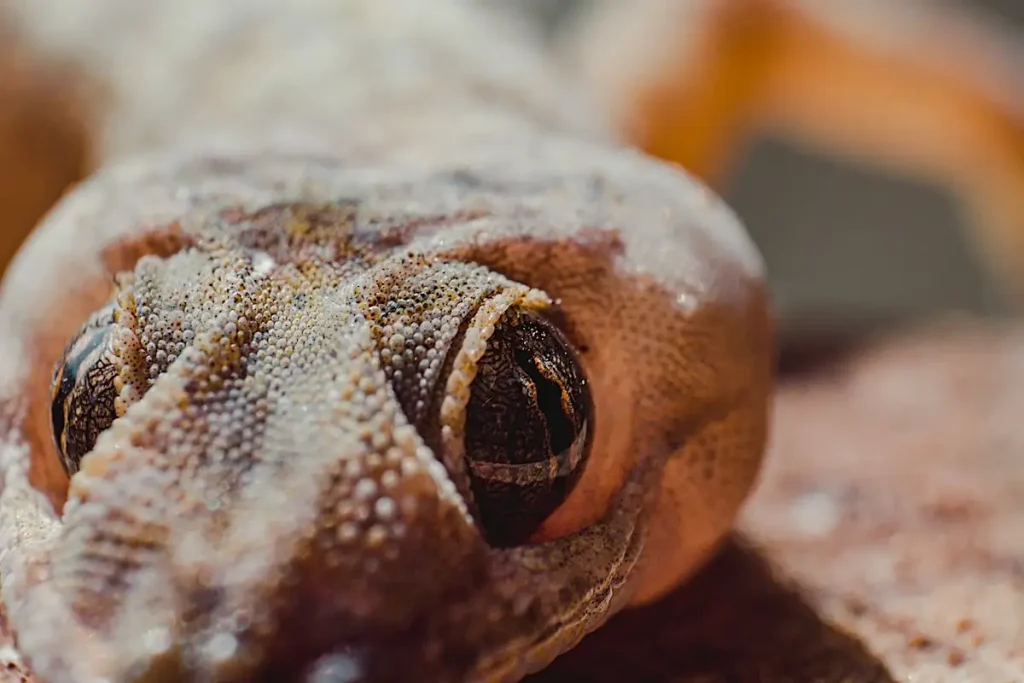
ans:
x=340 y=77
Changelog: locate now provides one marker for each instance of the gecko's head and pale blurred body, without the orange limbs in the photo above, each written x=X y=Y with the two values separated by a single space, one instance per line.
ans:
x=407 y=383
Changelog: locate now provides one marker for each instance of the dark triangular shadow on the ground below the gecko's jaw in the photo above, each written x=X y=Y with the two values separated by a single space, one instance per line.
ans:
x=738 y=622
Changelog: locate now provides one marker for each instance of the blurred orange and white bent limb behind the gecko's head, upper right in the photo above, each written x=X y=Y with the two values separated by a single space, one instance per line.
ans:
x=918 y=88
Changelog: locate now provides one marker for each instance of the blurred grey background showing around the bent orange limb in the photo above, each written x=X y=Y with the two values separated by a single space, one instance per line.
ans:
x=851 y=246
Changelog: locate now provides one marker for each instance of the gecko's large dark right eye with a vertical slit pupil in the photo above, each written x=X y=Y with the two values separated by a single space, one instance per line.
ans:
x=529 y=428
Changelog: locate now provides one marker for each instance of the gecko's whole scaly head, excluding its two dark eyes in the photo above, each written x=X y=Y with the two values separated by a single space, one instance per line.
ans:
x=276 y=502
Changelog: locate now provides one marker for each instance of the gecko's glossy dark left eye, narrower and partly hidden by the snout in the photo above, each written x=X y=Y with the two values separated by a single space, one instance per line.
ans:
x=82 y=392
